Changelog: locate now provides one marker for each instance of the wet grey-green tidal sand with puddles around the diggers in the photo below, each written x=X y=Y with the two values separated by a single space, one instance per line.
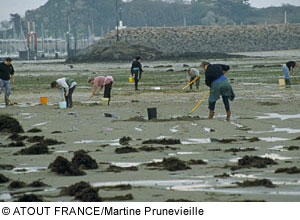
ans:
x=262 y=111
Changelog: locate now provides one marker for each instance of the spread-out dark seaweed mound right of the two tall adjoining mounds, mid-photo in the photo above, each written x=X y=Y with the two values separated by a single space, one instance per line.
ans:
x=170 y=164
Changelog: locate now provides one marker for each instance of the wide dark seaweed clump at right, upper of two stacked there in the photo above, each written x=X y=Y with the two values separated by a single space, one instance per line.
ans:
x=253 y=161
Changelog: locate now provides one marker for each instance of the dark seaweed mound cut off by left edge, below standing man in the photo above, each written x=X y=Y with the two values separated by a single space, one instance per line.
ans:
x=10 y=125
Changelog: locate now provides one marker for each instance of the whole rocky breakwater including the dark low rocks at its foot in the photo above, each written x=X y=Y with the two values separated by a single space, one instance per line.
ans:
x=192 y=42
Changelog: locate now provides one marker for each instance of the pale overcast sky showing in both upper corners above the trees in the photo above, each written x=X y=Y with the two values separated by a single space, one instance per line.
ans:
x=20 y=6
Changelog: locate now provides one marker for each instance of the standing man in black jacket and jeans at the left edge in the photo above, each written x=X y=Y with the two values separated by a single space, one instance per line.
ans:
x=6 y=77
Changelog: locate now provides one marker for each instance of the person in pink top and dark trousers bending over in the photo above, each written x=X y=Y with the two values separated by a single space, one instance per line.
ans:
x=101 y=81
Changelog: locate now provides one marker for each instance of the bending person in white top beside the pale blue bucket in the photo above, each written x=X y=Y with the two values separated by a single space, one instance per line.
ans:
x=67 y=87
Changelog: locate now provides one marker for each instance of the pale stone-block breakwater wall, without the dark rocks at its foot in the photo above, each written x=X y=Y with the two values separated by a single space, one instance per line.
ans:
x=212 y=38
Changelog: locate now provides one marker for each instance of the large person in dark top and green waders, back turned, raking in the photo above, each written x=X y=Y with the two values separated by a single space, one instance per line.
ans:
x=219 y=86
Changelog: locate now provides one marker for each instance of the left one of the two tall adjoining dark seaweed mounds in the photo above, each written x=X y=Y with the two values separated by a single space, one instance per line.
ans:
x=64 y=167
